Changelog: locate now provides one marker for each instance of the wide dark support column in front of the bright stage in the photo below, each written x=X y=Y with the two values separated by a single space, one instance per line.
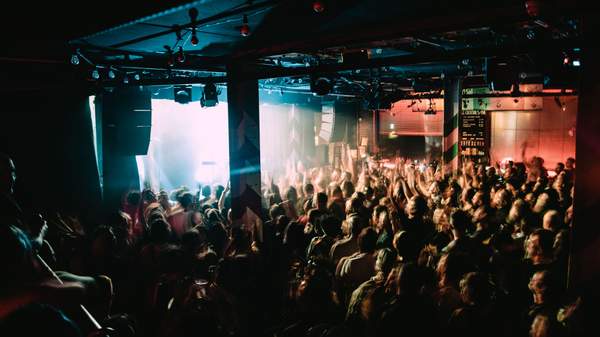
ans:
x=244 y=146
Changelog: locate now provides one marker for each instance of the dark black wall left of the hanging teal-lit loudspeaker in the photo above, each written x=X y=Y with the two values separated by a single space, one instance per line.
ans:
x=48 y=133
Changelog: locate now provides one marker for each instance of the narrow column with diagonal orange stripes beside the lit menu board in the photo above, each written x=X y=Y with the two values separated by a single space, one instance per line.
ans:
x=452 y=98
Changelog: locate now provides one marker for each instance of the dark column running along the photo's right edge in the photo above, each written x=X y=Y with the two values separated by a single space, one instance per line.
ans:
x=585 y=252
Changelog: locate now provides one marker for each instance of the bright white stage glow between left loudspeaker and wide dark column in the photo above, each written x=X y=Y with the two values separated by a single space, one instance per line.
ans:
x=189 y=146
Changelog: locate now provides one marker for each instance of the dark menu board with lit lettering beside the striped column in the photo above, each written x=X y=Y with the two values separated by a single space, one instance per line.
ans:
x=474 y=134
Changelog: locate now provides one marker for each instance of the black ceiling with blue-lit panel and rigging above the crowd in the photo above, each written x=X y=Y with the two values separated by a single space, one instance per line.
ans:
x=393 y=41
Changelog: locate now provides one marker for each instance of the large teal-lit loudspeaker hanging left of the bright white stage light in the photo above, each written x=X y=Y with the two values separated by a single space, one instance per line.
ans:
x=127 y=120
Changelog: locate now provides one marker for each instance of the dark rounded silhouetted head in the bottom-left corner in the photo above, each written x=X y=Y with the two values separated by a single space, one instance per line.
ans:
x=38 y=319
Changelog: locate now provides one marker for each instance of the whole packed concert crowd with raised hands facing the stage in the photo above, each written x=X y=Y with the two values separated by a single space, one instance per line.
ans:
x=375 y=250
